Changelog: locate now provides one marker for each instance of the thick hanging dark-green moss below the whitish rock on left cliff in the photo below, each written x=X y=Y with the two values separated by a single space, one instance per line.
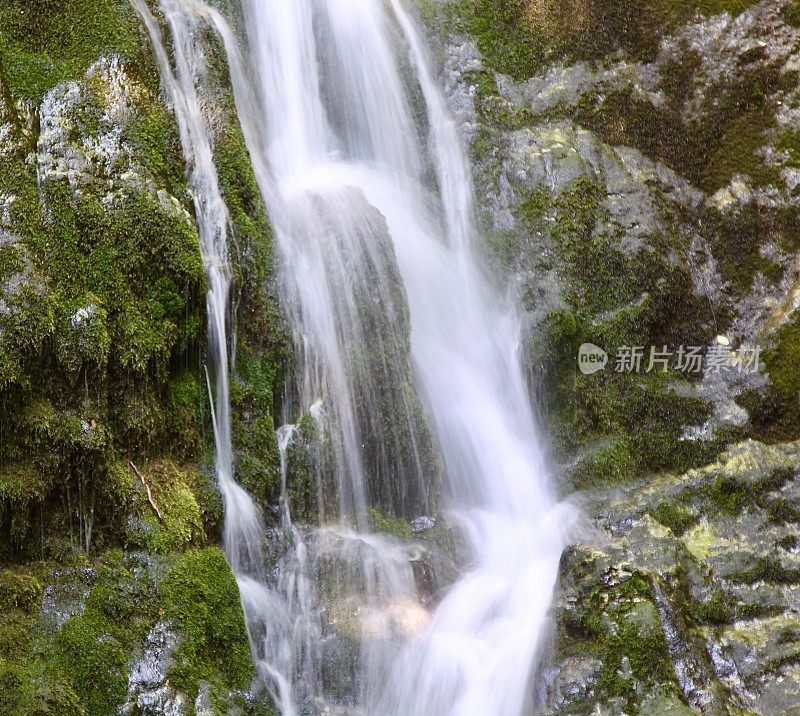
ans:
x=119 y=302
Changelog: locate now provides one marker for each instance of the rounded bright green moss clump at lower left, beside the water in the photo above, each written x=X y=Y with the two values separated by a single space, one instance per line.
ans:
x=201 y=598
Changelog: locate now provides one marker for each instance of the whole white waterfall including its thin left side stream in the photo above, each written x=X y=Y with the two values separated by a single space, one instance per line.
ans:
x=373 y=219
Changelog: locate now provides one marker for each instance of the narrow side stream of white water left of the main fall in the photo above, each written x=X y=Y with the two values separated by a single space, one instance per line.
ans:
x=269 y=618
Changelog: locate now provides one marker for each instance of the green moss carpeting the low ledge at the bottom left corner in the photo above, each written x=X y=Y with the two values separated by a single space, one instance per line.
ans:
x=82 y=668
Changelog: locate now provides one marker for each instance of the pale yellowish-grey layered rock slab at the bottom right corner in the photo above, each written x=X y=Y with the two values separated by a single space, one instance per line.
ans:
x=685 y=592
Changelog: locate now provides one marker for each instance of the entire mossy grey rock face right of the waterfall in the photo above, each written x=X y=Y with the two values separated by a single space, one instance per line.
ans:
x=636 y=177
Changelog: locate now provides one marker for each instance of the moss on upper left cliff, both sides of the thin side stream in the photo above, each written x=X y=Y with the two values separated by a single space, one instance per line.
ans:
x=101 y=352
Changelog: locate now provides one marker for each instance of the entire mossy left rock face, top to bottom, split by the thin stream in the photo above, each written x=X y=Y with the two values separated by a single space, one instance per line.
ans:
x=112 y=600
